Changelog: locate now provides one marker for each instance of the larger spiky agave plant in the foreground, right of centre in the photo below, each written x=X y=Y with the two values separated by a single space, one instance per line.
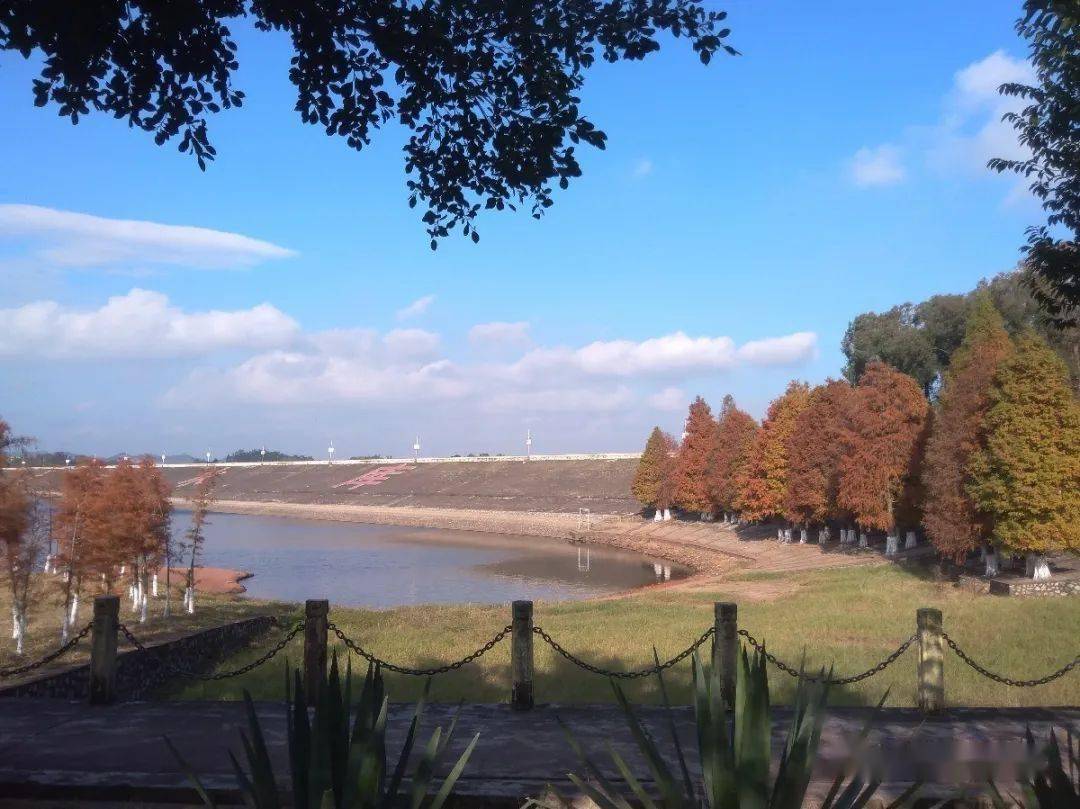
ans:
x=735 y=753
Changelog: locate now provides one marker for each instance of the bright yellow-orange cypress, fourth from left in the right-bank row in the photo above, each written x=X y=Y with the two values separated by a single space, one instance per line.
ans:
x=763 y=480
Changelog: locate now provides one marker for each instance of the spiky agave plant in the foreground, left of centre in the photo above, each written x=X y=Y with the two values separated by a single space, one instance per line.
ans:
x=337 y=764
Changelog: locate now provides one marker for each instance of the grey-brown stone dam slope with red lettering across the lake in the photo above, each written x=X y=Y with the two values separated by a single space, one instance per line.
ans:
x=602 y=487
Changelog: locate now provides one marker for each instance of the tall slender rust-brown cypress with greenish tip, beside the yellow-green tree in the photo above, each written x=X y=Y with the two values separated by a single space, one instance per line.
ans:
x=953 y=523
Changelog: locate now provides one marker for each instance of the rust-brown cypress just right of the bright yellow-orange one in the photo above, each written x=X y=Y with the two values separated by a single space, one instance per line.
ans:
x=822 y=438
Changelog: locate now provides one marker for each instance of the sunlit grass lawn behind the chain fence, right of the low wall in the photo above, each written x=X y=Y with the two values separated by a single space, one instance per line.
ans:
x=852 y=618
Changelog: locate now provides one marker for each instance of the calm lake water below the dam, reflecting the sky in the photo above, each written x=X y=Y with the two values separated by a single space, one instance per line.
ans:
x=387 y=567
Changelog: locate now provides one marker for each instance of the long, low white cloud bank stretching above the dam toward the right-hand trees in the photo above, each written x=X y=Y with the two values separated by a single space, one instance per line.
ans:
x=408 y=368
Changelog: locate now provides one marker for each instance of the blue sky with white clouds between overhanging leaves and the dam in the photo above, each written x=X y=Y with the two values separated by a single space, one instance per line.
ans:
x=834 y=168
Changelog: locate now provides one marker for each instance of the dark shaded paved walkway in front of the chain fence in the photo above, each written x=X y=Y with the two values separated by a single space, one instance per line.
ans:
x=55 y=750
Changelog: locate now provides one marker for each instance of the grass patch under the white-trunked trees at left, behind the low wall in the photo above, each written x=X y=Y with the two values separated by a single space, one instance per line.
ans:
x=44 y=632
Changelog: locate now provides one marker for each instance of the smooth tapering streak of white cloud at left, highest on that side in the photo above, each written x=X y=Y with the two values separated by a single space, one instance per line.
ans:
x=70 y=239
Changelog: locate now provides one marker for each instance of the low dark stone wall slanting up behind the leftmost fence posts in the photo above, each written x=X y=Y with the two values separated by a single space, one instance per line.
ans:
x=141 y=673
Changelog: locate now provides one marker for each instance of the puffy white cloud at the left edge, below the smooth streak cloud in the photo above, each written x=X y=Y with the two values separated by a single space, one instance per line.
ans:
x=140 y=325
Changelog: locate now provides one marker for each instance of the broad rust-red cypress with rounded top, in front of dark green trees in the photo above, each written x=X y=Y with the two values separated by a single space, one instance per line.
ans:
x=888 y=415
